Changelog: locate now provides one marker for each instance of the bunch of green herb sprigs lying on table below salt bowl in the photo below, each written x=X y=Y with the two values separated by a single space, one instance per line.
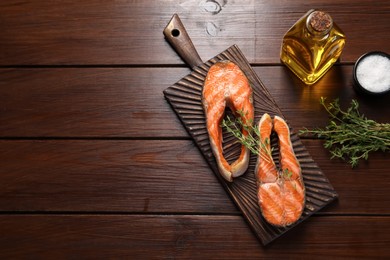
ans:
x=350 y=135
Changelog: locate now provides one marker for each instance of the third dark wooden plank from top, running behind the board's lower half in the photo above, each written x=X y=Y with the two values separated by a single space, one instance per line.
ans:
x=155 y=176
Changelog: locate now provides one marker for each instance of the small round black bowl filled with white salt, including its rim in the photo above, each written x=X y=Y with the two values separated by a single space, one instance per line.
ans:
x=372 y=73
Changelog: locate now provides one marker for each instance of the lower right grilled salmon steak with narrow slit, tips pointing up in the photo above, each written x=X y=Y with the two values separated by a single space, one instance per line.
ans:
x=281 y=193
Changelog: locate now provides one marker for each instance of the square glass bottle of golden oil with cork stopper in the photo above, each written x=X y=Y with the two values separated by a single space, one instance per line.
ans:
x=312 y=45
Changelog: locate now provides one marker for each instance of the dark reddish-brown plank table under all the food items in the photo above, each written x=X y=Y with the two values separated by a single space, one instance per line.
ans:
x=95 y=164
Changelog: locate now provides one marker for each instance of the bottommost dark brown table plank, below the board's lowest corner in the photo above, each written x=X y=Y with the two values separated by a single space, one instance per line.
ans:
x=194 y=237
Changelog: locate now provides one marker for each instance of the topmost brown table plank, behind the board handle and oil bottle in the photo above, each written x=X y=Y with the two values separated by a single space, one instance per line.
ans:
x=130 y=32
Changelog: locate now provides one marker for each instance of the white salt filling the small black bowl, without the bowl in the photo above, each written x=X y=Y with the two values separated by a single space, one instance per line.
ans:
x=373 y=73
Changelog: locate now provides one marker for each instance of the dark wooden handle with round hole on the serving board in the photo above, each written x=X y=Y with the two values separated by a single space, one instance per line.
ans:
x=177 y=36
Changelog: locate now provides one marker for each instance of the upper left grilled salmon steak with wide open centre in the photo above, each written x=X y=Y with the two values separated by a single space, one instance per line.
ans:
x=227 y=86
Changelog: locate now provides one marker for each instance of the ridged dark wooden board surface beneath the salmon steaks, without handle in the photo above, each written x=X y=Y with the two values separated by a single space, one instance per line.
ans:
x=185 y=98
